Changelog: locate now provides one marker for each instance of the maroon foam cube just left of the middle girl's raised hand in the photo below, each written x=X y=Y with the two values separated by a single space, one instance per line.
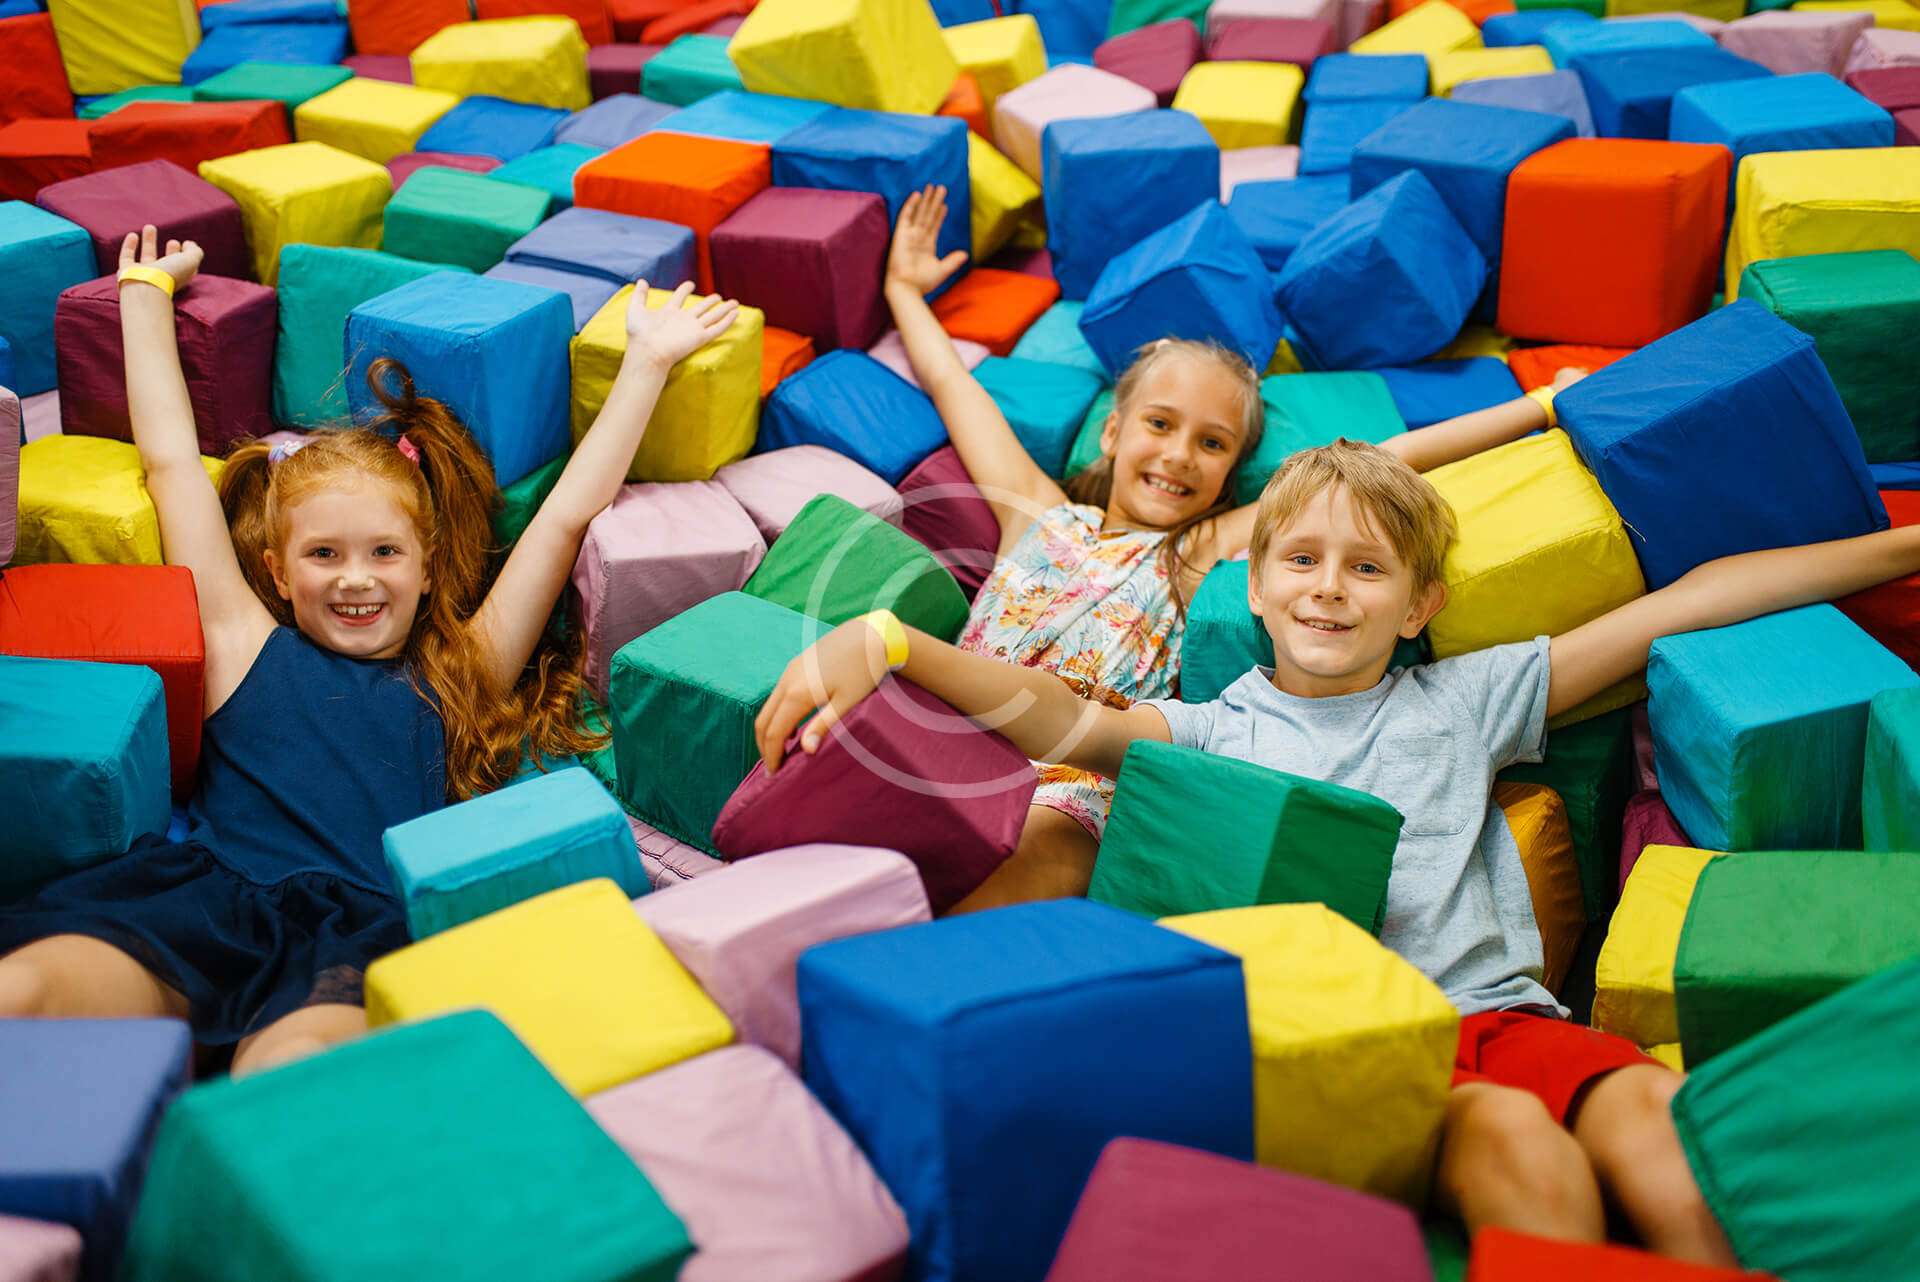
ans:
x=811 y=260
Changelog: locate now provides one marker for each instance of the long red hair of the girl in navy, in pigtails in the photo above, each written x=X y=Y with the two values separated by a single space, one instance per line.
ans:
x=452 y=498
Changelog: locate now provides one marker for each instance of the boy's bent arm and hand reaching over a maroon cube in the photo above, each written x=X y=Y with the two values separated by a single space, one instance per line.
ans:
x=1034 y=709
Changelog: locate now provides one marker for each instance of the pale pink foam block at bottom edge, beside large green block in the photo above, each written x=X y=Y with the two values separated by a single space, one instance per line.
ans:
x=759 y=1172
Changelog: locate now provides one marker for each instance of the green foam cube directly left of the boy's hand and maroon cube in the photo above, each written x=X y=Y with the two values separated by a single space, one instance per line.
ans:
x=684 y=698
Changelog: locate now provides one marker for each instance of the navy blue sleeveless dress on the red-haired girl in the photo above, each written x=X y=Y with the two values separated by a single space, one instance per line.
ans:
x=279 y=895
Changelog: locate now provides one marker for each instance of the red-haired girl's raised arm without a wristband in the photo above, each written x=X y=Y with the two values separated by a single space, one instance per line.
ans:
x=521 y=600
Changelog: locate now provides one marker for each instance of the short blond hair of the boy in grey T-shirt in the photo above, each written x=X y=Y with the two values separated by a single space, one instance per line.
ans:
x=1416 y=521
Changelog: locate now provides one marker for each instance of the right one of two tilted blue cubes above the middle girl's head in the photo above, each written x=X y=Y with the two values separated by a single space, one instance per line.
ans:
x=1387 y=281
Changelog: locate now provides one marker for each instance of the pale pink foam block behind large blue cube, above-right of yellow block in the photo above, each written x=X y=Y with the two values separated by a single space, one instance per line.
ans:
x=742 y=932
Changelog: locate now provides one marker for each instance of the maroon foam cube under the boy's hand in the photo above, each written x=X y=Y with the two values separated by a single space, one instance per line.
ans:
x=901 y=772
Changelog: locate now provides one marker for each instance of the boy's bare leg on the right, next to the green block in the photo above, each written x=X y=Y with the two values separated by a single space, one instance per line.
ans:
x=1625 y=1126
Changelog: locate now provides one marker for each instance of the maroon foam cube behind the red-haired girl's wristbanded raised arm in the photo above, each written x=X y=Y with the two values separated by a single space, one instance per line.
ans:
x=226 y=335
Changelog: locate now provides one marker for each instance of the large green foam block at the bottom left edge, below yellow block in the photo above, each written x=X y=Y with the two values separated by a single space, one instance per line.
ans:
x=429 y=1151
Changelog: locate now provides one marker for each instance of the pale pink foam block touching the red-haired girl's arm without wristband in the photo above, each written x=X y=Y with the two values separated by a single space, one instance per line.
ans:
x=656 y=552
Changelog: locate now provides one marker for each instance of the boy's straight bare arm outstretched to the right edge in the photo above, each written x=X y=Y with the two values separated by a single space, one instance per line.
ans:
x=1717 y=594
